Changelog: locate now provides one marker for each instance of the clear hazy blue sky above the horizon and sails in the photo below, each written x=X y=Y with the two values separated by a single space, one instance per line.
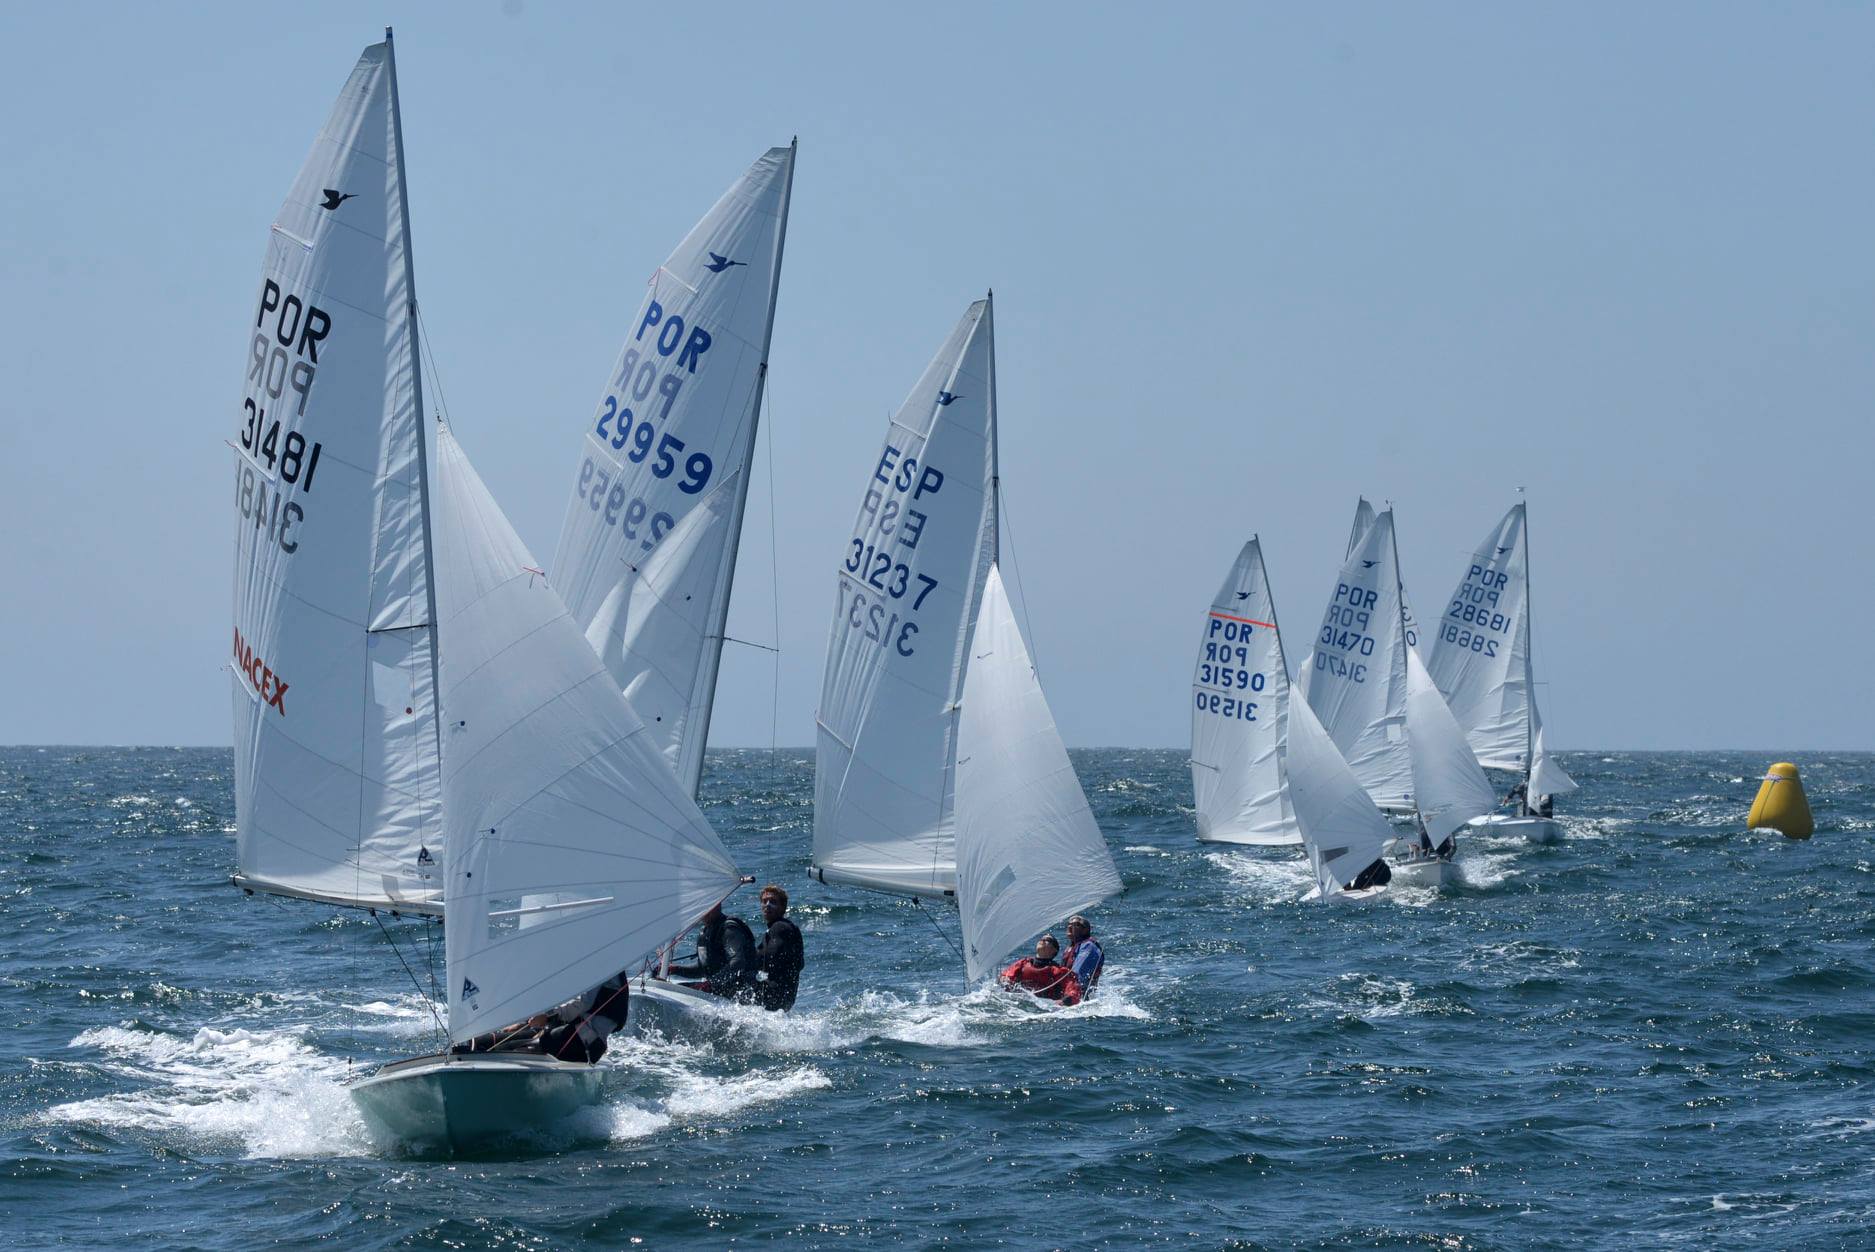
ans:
x=1252 y=261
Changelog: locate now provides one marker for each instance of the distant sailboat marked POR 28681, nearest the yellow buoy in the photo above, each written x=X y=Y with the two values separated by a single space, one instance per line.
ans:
x=1484 y=666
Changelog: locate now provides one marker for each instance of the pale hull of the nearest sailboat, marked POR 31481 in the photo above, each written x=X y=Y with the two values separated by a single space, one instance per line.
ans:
x=464 y=1103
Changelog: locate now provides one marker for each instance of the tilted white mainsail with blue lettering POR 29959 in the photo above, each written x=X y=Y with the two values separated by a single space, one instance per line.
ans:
x=674 y=434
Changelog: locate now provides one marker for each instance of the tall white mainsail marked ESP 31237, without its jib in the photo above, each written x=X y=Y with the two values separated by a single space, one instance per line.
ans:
x=907 y=595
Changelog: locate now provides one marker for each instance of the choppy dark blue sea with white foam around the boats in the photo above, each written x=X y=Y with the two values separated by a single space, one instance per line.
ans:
x=1660 y=1034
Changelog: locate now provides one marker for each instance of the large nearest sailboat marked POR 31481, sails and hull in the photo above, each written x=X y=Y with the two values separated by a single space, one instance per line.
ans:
x=419 y=724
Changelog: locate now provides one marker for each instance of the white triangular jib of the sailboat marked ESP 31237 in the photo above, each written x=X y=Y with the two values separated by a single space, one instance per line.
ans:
x=1028 y=852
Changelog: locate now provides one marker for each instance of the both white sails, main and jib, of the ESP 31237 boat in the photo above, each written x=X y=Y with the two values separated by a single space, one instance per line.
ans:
x=938 y=768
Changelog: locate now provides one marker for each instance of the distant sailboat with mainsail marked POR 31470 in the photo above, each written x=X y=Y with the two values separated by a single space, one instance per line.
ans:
x=1385 y=713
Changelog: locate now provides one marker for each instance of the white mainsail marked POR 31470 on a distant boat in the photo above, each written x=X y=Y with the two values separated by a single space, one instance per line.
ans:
x=1357 y=674
